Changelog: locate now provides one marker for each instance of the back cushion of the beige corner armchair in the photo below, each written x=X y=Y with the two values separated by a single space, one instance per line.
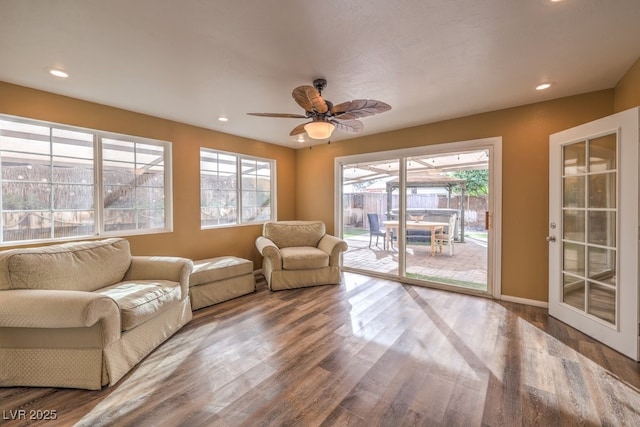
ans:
x=294 y=233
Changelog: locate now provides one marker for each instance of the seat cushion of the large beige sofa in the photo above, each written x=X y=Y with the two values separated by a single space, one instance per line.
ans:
x=141 y=300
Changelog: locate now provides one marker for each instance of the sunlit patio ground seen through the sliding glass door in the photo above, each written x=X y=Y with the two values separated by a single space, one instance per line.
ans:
x=466 y=268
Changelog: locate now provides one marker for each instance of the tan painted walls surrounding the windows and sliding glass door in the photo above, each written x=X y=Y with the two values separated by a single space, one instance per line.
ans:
x=309 y=174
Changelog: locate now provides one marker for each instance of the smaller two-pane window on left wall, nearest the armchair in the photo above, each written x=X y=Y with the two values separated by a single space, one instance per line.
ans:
x=235 y=189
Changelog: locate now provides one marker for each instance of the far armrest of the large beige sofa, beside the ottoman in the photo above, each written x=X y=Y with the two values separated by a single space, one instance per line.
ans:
x=161 y=268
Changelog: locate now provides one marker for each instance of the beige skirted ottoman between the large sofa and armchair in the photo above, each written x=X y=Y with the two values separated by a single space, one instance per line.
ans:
x=220 y=279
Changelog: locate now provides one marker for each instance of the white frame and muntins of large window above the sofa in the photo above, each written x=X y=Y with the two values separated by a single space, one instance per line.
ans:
x=98 y=208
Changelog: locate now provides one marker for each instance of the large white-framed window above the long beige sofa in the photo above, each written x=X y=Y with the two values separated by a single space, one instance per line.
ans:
x=61 y=182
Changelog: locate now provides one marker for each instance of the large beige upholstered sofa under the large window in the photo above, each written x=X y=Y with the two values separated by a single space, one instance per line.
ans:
x=82 y=314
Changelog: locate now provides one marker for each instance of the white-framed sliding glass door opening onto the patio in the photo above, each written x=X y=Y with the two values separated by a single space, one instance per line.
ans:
x=421 y=215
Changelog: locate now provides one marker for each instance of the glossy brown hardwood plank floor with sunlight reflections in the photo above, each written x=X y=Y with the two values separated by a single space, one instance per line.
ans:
x=367 y=352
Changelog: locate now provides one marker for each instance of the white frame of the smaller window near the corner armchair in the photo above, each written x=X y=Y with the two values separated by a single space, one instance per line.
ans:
x=239 y=206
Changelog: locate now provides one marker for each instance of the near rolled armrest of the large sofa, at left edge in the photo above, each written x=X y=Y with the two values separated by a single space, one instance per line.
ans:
x=49 y=309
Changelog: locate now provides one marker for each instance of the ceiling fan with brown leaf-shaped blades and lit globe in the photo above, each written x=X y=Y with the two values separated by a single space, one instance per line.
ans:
x=326 y=117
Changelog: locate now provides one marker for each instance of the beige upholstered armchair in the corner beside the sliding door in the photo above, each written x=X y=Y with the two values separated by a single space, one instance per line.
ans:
x=298 y=254
